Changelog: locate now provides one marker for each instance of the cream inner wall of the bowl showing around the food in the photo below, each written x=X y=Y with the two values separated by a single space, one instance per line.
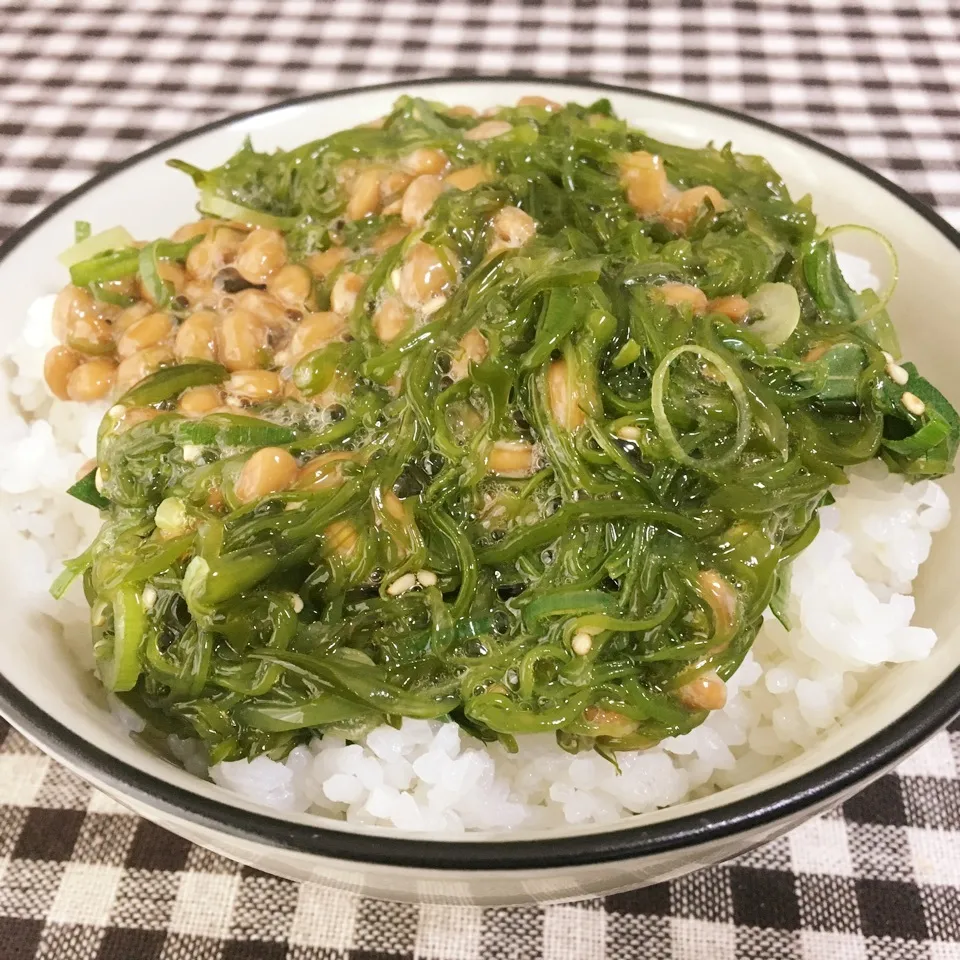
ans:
x=151 y=199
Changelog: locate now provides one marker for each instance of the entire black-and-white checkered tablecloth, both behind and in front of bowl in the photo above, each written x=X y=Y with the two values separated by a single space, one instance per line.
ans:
x=90 y=82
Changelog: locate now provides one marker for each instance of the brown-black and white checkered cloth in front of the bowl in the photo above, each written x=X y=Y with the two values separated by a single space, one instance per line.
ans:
x=83 y=879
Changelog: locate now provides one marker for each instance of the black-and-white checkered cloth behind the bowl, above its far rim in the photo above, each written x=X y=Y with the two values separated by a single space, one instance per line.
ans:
x=91 y=81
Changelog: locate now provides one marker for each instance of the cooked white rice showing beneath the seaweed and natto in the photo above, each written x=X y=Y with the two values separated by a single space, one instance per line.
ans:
x=850 y=604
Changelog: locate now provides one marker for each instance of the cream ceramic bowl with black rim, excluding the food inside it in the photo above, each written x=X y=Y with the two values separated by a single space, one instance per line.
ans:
x=47 y=695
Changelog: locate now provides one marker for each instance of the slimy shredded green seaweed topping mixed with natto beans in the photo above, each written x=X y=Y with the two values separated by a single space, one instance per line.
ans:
x=260 y=633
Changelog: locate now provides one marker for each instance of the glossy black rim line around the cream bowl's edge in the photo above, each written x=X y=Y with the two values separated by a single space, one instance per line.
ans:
x=810 y=791
